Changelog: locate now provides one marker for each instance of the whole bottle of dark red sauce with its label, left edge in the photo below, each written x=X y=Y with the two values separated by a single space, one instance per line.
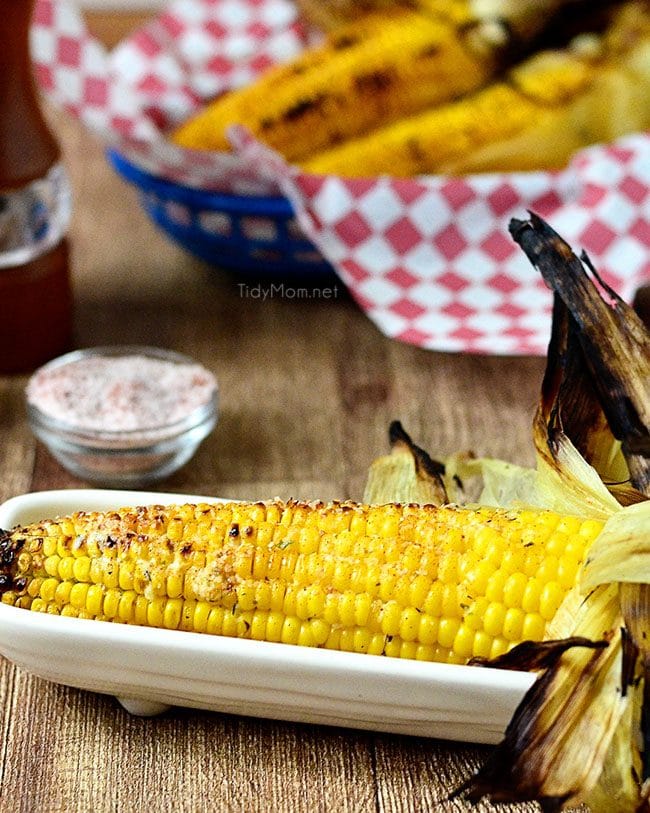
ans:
x=35 y=290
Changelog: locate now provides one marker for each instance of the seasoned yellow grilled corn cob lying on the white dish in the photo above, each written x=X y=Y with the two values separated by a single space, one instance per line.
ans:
x=423 y=582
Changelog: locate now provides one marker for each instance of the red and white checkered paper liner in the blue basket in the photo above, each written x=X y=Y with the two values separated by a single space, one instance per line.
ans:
x=429 y=260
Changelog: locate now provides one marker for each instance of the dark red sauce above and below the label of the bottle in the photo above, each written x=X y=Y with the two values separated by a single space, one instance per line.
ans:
x=35 y=295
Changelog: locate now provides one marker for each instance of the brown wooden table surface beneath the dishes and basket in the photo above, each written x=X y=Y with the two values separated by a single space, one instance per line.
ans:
x=307 y=392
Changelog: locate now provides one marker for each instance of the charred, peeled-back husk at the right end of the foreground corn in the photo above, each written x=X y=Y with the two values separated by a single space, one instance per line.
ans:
x=582 y=732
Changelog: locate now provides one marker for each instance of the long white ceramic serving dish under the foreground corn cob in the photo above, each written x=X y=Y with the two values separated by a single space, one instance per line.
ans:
x=149 y=670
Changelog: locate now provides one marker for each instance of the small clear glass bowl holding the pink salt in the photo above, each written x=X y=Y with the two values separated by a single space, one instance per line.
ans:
x=123 y=458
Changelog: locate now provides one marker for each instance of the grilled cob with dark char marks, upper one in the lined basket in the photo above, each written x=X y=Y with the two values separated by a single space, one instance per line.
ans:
x=379 y=69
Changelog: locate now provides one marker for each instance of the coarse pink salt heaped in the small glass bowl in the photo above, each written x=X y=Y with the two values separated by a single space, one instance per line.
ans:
x=127 y=393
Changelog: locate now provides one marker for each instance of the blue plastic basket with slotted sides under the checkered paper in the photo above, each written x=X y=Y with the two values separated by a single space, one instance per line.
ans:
x=253 y=235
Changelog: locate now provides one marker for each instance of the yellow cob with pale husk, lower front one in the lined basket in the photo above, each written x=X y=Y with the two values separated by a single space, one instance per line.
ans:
x=545 y=109
